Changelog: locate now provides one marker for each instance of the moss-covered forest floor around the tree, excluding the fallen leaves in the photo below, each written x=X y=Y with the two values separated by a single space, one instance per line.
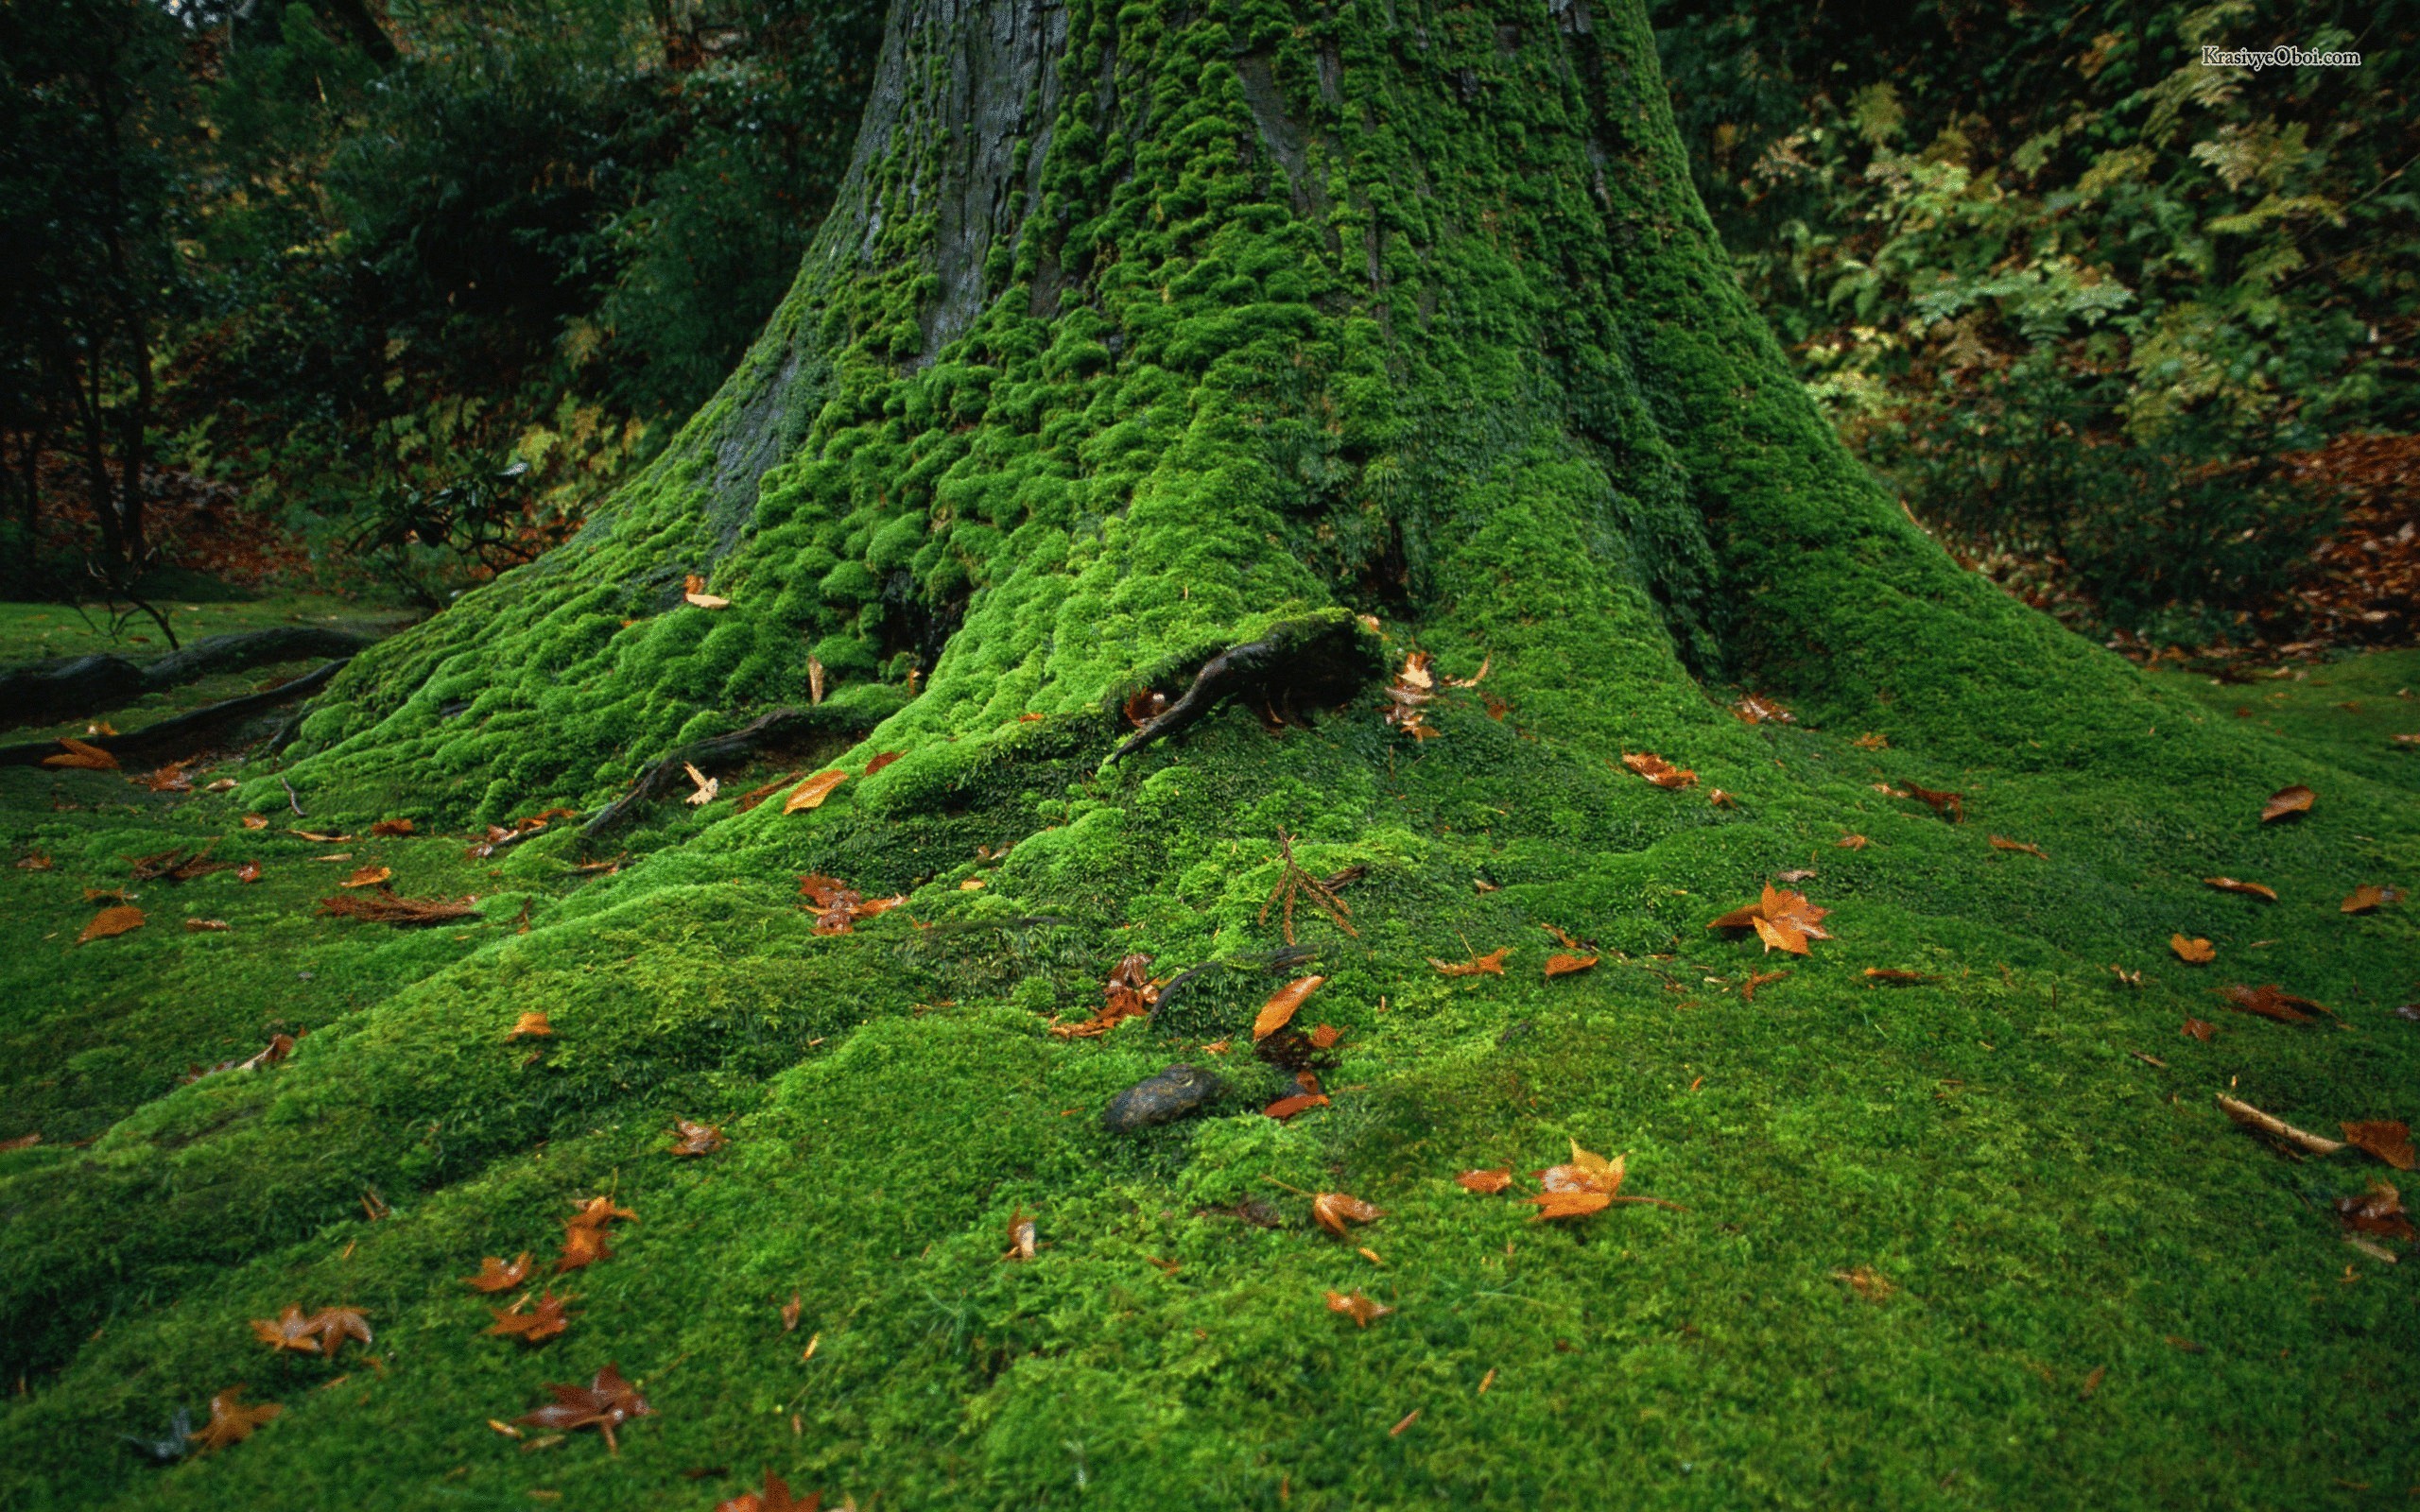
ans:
x=1954 y=1223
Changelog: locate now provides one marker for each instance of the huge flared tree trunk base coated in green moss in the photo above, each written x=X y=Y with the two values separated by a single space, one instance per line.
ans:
x=1143 y=330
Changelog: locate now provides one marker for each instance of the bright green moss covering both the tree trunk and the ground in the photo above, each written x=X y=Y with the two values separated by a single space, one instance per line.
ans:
x=1545 y=437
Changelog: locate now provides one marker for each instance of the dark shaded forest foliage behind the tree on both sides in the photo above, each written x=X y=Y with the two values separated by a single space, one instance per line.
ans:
x=384 y=296
